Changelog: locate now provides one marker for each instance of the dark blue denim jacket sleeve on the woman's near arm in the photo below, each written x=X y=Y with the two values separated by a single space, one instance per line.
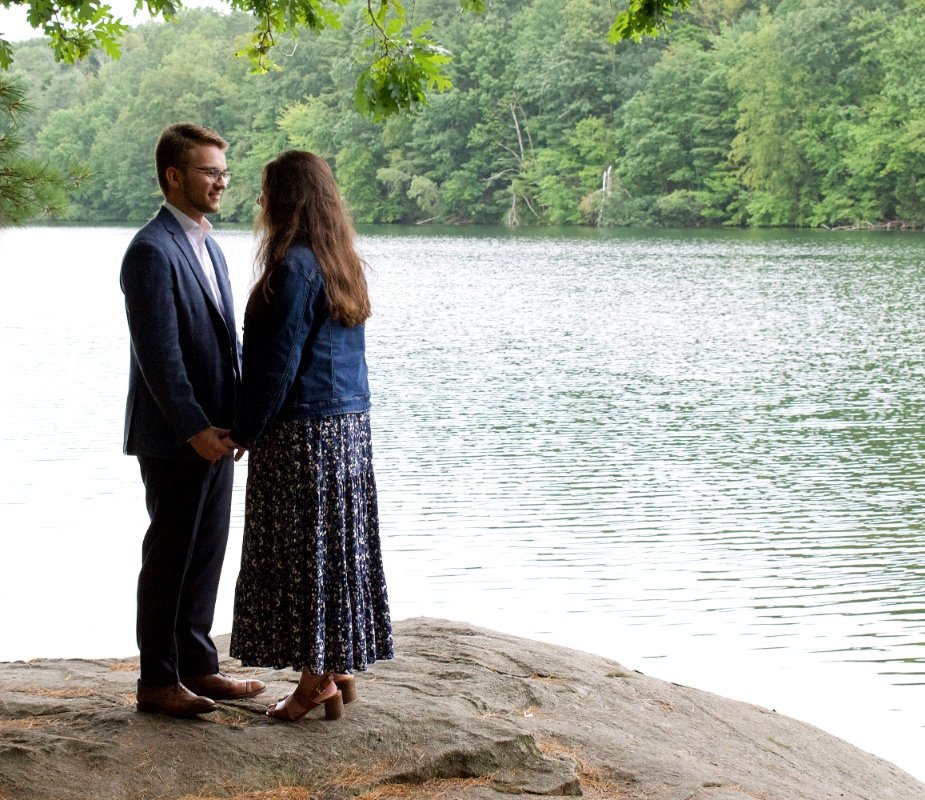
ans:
x=275 y=333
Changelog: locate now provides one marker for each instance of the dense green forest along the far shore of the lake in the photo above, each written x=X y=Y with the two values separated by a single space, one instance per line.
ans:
x=796 y=113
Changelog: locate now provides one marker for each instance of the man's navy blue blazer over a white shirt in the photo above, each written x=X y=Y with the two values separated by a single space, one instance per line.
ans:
x=185 y=355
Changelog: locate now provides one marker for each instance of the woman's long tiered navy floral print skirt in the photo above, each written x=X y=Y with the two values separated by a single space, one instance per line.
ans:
x=311 y=591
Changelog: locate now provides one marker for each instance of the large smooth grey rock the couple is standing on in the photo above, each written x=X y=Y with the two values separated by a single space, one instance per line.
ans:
x=461 y=713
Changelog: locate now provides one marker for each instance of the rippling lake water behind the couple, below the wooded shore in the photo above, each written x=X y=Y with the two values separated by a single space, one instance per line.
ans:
x=699 y=453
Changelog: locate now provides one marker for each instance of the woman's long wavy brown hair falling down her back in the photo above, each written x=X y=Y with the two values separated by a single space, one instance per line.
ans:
x=301 y=204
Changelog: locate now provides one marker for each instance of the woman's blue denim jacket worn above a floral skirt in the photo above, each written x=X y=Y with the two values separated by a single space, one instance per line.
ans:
x=298 y=362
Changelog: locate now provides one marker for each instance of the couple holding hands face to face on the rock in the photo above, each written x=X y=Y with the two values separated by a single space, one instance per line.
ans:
x=311 y=591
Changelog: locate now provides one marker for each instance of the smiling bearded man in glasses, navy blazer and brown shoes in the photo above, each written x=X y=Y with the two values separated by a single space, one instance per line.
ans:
x=183 y=375
